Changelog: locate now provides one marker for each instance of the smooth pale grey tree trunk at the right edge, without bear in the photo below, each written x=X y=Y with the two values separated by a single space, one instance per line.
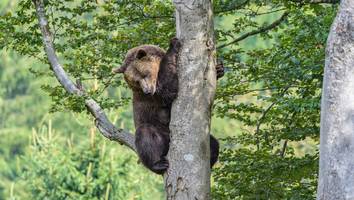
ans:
x=336 y=175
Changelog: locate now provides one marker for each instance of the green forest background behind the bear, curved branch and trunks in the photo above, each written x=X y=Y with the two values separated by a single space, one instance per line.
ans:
x=266 y=111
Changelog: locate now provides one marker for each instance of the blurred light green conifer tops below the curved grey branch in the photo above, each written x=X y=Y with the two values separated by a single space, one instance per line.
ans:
x=59 y=169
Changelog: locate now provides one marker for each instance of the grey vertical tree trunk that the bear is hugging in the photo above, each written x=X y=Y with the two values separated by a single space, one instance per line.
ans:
x=188 y=176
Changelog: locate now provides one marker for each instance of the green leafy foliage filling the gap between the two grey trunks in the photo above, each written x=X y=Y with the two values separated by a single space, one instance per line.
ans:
x=275 y=93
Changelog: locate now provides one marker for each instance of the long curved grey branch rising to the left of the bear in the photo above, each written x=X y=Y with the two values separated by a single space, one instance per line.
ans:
x=101 y=120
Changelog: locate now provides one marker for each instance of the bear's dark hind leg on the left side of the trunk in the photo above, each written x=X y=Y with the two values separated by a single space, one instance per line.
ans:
x=152 y=146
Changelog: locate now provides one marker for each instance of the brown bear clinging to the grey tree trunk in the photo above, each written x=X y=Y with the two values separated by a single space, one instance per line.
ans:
x=152 y=75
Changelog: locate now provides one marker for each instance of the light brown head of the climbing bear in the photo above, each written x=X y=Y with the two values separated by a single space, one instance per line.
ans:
x=141 y=67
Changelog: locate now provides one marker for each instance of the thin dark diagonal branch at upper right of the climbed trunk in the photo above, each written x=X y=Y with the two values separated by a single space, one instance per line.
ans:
x=257 y=31
